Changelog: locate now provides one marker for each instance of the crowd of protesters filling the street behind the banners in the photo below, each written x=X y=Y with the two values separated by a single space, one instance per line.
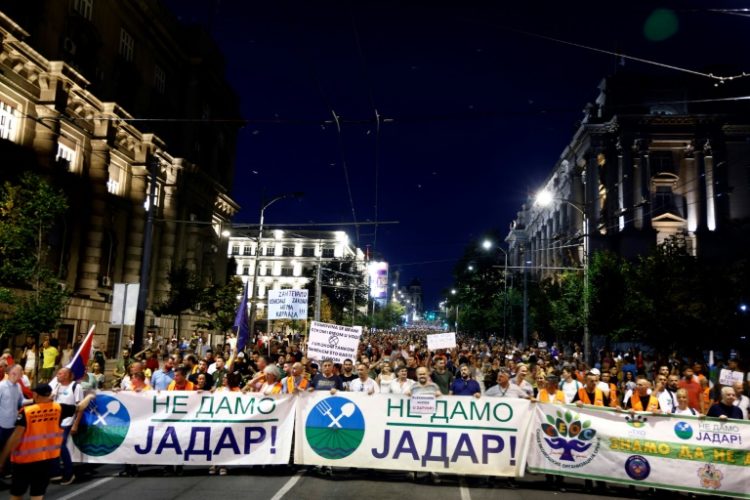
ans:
x=387 y=362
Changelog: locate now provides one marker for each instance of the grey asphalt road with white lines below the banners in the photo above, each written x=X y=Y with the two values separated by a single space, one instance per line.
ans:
x=275 y=483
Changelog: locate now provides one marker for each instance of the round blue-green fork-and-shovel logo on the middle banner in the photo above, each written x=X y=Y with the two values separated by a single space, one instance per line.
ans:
x=335 y=428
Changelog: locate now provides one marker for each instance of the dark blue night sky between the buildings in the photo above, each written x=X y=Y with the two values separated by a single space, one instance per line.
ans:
x=475 y=107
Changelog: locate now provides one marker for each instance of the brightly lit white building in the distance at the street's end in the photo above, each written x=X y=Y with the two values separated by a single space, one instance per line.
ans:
x=289 y=259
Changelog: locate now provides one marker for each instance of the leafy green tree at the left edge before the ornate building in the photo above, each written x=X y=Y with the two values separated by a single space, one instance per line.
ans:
x=29 y=290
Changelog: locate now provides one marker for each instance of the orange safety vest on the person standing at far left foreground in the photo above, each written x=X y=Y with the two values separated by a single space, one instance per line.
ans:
x=43 y=436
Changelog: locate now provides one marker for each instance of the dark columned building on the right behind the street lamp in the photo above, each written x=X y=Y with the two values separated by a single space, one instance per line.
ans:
x=653 y=158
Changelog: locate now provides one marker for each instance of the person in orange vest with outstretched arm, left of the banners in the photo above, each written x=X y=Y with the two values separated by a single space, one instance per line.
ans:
x=35 y=443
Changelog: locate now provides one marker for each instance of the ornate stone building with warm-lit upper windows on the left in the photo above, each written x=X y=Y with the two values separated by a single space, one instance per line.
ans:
x=68 y=87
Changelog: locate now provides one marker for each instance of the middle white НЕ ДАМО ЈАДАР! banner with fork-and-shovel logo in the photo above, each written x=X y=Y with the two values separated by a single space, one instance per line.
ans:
x=466 y=435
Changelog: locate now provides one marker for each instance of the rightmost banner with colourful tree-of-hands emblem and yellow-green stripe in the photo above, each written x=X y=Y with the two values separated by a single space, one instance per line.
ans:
x=676 y=452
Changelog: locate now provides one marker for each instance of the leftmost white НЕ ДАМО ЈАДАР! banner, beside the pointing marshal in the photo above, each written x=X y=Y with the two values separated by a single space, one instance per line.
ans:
x=183 y=427
